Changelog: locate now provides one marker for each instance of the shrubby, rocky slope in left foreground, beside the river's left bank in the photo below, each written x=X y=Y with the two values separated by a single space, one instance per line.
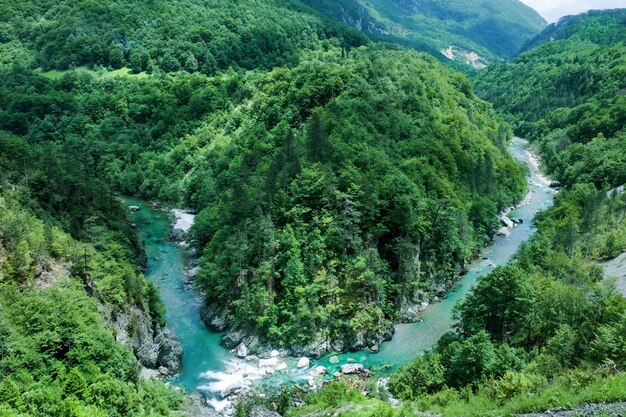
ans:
x=61 y=298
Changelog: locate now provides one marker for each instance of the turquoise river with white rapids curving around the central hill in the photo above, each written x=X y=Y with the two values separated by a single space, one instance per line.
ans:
x=209 y=368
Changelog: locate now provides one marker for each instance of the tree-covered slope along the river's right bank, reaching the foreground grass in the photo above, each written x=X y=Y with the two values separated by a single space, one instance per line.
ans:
x=546 y=331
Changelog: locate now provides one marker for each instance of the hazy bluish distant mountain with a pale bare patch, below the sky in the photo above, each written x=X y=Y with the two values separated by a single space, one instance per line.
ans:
x=491 y=28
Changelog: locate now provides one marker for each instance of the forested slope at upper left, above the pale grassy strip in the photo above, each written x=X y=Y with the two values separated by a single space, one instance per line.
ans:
x=190 y=35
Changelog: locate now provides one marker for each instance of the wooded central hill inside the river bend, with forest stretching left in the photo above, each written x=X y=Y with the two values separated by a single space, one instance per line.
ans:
x=330 y=193
